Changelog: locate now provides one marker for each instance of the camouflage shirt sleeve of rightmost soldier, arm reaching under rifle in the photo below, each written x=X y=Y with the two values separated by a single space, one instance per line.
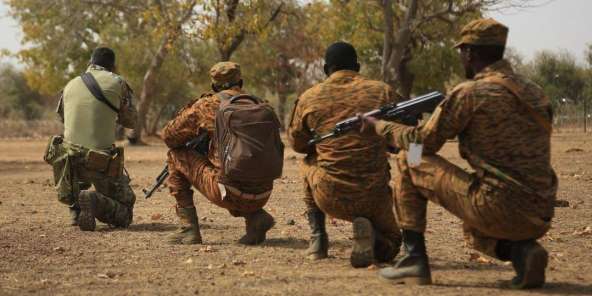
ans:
x=448 y=120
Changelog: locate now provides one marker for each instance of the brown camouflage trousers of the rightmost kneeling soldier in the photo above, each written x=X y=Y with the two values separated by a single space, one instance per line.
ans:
x=482 y=203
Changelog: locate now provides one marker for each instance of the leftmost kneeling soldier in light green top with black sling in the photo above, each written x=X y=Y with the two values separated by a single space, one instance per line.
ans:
x=86 y=154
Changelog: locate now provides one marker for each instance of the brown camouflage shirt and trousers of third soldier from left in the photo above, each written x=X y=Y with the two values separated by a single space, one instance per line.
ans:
x=346 y=177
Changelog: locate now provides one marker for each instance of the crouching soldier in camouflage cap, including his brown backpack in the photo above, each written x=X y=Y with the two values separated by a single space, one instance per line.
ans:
x=231 y=176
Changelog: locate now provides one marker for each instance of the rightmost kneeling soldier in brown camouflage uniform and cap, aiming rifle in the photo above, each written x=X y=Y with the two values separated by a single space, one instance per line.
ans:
x=503 y=126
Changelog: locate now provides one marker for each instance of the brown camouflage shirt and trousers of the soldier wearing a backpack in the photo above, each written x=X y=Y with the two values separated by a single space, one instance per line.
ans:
x=187 y=168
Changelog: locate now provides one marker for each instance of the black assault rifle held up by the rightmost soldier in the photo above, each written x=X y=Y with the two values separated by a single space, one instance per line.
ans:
x=403 y=111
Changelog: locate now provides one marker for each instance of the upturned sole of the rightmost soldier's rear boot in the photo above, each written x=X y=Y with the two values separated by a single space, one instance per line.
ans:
x=534 y=271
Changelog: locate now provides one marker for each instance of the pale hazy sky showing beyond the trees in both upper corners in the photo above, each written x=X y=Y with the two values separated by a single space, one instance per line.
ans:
x=560 y=24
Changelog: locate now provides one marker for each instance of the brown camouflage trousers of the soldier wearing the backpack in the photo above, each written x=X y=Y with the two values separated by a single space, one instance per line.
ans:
x=188 y=168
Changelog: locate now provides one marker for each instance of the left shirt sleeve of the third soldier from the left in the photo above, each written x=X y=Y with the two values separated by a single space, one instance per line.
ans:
x=298 y=132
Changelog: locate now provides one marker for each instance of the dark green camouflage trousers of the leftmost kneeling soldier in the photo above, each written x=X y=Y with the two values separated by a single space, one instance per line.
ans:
x=115 y=197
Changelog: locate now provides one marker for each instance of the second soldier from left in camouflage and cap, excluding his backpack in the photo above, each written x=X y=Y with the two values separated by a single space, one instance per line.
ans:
x=188 y=168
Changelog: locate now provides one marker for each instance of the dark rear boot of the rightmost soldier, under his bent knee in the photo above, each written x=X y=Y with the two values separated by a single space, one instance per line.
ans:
x=529 y=260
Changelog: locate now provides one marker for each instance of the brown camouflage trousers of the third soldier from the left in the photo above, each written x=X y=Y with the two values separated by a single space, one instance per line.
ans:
x=341 y=201
